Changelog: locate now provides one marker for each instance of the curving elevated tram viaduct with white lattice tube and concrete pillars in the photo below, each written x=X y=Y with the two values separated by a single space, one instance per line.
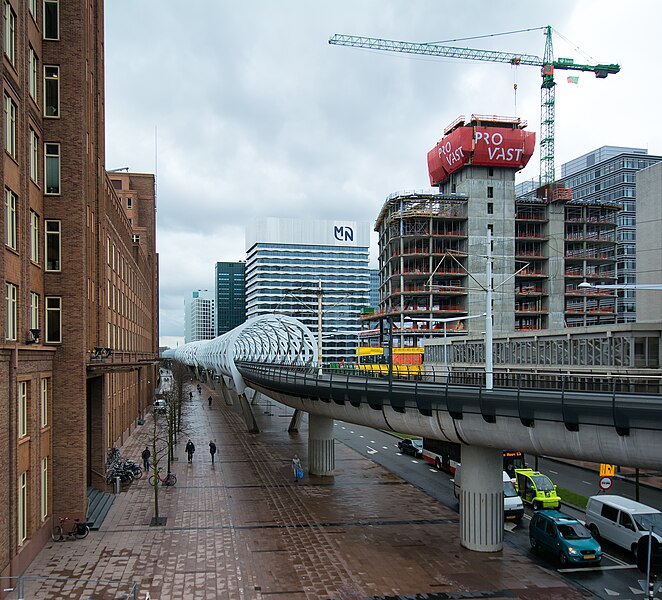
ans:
x=276 y=355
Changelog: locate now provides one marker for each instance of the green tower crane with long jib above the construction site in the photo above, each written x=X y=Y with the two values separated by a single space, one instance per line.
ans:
x=547 y=66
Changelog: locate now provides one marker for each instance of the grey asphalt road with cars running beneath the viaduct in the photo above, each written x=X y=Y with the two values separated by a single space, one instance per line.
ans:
x=615 y=579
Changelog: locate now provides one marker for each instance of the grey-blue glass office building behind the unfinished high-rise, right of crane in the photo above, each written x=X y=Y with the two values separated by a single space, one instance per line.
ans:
x=607 y=176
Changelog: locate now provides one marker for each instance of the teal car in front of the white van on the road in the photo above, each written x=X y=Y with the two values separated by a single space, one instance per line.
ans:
x=565 y=537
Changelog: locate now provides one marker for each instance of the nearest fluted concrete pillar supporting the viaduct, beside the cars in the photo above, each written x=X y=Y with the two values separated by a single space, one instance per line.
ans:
x=481 y=499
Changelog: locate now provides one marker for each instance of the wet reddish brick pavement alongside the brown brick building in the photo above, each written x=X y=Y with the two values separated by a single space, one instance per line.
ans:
x=242 y=529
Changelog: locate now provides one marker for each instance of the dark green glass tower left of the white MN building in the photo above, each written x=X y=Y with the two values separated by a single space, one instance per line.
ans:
x=230 y=295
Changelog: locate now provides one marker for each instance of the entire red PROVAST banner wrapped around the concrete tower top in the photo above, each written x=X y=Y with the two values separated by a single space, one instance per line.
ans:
x=480 y=145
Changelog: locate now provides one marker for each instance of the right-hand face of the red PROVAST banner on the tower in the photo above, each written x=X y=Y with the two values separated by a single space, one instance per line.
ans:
x=500 y=147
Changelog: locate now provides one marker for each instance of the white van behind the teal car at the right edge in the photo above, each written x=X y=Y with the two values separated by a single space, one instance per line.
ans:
x=621 y=520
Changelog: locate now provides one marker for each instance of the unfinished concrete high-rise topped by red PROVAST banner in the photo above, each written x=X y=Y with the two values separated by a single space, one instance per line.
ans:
x=437 y=265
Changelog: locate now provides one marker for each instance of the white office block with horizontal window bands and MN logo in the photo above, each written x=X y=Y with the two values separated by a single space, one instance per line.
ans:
x=297 y=266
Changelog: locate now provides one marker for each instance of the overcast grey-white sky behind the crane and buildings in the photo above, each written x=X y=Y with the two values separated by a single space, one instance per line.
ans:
x=257 y=115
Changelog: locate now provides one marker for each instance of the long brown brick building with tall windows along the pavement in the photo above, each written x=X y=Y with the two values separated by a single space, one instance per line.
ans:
x=80 y=274
